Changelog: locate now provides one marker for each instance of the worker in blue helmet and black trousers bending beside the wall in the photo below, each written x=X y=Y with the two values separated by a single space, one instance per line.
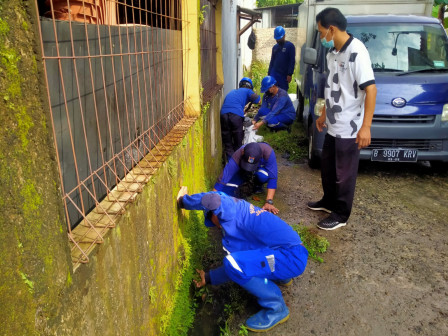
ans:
x=232 y=115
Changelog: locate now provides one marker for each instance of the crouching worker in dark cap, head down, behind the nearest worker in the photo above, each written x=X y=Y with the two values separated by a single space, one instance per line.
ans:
x=254 y=160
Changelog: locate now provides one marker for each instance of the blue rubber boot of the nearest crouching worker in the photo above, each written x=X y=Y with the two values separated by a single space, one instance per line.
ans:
x=271 y=300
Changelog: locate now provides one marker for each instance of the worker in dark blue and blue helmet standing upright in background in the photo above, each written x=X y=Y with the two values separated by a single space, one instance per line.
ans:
x=283 y=59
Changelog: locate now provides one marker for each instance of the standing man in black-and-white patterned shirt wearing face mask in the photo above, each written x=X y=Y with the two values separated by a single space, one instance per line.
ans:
x=350 y=96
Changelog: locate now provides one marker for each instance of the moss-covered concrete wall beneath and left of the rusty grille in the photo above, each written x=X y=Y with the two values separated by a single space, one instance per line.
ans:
x=138 y=281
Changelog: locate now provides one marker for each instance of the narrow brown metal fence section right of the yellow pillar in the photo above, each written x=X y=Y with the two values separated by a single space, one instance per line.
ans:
x=208 y=48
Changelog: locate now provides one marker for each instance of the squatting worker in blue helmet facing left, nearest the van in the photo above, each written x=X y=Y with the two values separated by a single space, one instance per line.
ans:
x=277 y=110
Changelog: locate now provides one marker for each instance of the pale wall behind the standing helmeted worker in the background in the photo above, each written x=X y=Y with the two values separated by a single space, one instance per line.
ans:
x=265 y=42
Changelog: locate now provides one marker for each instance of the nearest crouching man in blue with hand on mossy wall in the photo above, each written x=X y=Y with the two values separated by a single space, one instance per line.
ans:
x=262 y=249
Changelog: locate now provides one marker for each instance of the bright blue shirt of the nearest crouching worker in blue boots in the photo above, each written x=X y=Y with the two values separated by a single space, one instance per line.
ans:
x=245 y=226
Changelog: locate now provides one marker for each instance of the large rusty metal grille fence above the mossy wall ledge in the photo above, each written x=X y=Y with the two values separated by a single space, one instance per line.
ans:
x=115 y=86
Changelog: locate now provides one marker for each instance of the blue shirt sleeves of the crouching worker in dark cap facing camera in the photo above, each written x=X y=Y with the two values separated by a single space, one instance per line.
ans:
x=268 y=161
